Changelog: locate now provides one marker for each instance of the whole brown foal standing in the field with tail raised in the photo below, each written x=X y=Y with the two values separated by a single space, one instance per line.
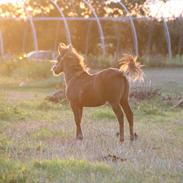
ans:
x=92 y=90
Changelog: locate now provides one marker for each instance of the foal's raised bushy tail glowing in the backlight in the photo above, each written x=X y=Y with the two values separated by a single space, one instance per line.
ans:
x=131 y=67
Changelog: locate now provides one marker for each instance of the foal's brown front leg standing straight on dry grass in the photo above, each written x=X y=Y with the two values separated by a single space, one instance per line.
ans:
x=77 y=110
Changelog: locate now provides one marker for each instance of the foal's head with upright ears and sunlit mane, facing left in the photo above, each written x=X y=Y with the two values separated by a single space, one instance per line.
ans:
x=68 y=58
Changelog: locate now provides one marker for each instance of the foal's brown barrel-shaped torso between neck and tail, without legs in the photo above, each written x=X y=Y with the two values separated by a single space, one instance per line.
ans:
x=91 y=90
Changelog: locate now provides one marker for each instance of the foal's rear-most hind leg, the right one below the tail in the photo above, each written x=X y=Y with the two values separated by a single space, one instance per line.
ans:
x=129 y=114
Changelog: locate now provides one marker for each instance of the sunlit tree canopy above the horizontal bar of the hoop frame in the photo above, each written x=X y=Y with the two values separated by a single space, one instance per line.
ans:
x=73 y=8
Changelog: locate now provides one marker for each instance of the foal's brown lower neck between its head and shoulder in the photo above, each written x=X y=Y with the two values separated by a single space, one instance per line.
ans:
x=73 y=72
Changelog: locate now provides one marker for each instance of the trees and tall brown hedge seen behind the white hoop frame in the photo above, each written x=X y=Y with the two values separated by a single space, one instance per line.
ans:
x=85 y=36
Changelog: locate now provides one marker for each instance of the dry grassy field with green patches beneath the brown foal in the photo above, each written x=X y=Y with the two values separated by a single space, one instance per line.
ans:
x=37 y=138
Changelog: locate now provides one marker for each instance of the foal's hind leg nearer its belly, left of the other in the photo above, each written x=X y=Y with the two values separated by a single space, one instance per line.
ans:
x=119 y=114
